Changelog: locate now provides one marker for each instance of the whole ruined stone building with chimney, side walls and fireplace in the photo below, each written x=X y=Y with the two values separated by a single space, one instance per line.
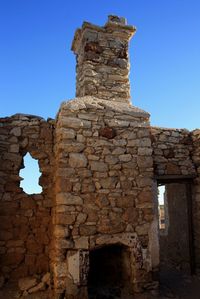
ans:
x=94 y=226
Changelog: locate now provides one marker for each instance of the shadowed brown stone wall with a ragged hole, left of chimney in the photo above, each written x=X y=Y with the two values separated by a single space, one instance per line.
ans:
x=25 y=220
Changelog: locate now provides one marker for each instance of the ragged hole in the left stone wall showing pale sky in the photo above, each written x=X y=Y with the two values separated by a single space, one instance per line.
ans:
x=30 y=175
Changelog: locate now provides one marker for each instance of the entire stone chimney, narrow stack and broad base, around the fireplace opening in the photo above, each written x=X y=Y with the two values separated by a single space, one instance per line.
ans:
x=104 y=166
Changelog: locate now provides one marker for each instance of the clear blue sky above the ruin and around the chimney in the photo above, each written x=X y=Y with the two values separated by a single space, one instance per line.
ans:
x=37 y=68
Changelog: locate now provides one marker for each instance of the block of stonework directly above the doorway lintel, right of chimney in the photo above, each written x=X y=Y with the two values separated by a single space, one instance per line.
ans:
x=172 y=152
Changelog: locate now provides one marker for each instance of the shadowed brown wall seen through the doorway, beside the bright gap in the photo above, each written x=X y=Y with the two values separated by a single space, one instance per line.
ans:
x=175 y=244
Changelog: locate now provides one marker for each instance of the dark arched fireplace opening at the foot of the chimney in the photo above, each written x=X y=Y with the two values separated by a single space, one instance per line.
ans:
x=109 y=273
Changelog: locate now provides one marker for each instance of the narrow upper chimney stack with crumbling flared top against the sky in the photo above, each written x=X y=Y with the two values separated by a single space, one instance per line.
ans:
x=103 y=60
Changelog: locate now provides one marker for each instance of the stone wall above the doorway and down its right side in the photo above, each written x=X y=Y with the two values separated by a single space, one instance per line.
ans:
x=177 y=153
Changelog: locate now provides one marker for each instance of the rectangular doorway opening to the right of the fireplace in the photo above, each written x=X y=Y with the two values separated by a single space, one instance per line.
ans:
x=175 y=226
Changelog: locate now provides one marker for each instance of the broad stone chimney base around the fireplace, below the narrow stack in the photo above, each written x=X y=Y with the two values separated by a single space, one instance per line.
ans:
x=104 y=180
